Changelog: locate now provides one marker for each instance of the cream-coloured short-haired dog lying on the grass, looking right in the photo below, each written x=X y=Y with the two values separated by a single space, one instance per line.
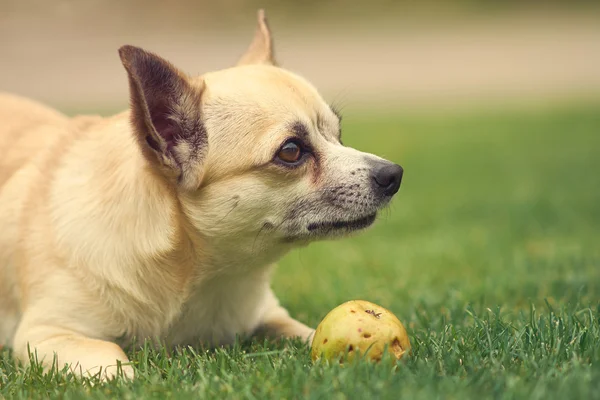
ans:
x=164 y=222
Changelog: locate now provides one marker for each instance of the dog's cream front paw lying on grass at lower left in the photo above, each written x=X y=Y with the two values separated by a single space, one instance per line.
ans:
x=85 y=356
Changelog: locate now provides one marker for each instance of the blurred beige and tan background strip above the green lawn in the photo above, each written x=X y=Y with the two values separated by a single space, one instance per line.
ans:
x=415 y=54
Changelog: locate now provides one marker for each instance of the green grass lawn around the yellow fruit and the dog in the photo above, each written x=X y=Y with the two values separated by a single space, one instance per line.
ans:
x=490 y=255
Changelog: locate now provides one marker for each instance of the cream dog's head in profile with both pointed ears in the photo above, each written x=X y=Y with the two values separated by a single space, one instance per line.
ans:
x=254 y=152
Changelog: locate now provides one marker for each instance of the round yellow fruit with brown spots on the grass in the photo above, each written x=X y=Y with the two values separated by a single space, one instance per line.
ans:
x=359 y=327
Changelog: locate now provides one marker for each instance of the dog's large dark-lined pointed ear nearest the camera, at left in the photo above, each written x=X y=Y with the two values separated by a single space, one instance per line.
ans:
x=165 y=114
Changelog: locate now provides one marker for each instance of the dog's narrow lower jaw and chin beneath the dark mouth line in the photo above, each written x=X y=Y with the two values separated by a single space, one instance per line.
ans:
x=332 y=229
